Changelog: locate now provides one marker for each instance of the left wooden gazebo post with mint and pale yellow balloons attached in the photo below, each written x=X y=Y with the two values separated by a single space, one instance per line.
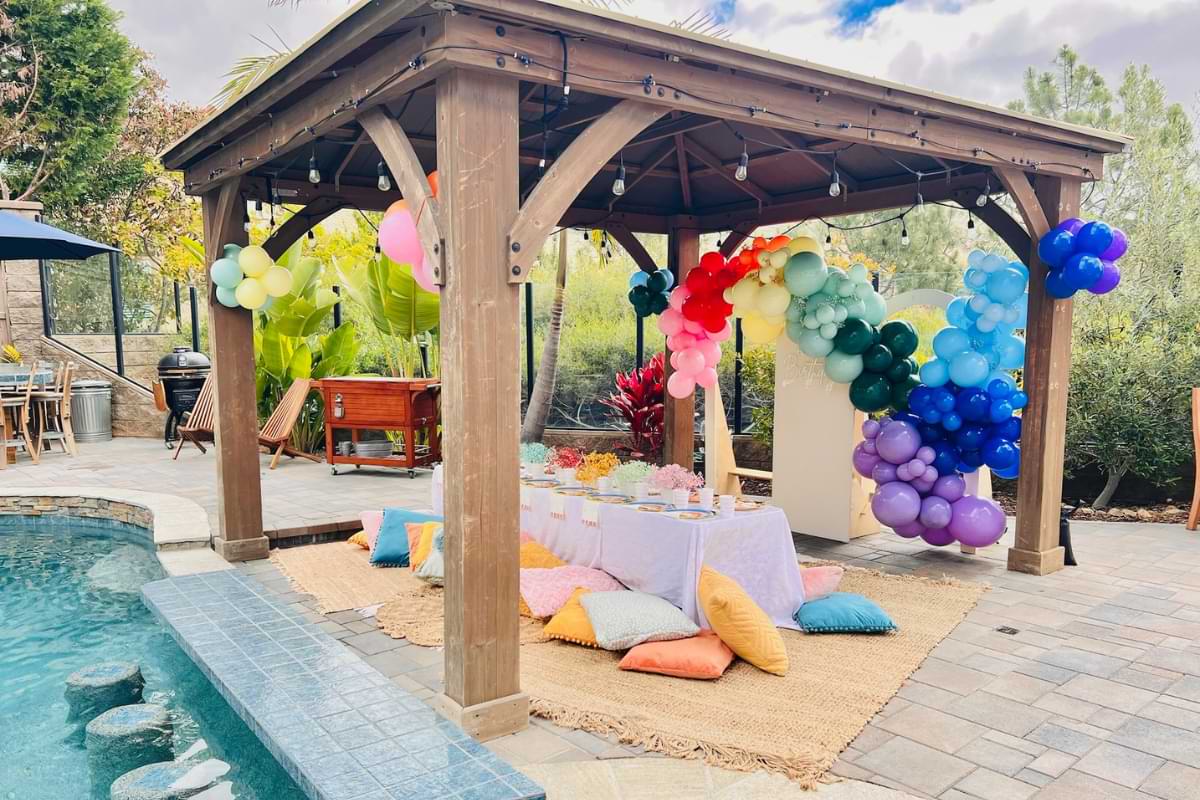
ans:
x=232 y=341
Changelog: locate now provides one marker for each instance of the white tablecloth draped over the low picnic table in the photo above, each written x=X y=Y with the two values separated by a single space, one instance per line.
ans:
x=663 y=556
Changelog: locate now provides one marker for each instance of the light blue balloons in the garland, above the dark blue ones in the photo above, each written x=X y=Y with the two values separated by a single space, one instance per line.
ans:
x=979 y=346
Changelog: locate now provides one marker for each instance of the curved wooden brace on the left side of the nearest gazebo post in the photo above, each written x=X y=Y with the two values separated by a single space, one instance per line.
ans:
x=406 y=170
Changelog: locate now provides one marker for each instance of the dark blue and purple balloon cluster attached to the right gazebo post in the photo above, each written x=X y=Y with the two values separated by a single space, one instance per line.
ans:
x=1082 y=256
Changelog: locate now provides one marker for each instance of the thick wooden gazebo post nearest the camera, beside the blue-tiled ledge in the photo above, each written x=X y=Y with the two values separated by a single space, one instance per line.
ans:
x=482 y=402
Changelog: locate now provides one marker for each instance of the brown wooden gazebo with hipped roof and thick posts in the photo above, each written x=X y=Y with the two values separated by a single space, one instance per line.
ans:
x=530 y=110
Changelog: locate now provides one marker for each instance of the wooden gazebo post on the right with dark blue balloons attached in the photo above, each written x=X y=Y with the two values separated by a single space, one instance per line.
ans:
x=1047 y=378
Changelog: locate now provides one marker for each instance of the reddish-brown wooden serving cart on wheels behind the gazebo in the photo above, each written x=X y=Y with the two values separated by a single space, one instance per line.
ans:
x=401 y=405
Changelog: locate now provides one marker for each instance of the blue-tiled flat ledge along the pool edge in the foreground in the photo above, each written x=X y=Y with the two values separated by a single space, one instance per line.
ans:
x=335 y=724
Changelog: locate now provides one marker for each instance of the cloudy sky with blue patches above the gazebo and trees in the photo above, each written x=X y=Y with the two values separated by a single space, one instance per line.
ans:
x=970 y=49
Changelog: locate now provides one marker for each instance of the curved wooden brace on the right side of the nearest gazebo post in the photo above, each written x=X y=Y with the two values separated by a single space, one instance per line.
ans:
x=567 y=178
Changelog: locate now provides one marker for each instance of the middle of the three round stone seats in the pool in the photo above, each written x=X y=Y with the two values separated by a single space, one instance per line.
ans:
x=125 y=738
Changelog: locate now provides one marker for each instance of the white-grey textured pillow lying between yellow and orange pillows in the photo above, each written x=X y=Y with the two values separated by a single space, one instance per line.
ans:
x=626 y=619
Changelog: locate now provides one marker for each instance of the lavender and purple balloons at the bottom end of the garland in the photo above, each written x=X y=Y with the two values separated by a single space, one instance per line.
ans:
x=916 y=498
